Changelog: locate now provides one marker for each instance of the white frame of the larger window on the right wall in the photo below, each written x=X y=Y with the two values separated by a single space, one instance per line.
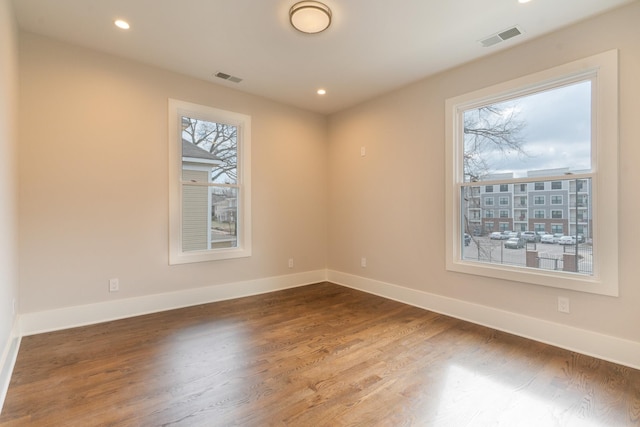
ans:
x=603 y=70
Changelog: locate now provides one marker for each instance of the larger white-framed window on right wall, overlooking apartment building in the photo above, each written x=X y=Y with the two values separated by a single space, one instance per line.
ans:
x=553 y=130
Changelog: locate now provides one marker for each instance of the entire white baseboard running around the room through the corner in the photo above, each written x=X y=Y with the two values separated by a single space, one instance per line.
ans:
x=613 y=349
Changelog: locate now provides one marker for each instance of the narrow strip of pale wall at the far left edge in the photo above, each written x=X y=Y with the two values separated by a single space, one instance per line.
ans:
x=8 y=191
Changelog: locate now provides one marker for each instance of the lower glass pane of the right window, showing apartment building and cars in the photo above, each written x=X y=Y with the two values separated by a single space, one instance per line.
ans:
x=572 y=217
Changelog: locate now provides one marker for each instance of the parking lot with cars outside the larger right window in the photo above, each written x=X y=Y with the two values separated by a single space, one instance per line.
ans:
x=550 y=256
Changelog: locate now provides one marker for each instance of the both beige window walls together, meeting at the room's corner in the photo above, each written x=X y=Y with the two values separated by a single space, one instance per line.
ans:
x=93 y=181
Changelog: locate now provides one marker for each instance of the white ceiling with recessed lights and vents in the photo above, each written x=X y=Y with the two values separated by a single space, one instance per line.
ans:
x=372 y=46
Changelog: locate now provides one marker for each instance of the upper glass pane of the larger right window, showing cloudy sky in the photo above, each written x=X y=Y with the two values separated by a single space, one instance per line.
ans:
x=546 y=131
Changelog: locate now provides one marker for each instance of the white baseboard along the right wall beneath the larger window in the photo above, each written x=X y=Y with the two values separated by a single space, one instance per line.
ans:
x=613 y=349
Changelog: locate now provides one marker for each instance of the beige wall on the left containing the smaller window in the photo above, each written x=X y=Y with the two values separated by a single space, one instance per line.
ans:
x=94 y=180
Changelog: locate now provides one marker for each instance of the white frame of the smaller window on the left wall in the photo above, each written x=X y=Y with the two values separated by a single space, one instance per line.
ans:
x=177 y=109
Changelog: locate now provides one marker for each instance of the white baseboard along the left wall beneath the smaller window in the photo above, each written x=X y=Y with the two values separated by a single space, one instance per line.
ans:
x=69 y=317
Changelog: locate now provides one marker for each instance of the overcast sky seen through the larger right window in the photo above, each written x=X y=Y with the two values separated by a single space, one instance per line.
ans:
x=557 y=133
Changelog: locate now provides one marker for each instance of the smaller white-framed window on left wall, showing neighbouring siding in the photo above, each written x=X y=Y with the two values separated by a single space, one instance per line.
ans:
x=209 y=154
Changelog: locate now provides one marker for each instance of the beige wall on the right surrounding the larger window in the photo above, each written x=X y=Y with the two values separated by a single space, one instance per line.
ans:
x=389 y=205
